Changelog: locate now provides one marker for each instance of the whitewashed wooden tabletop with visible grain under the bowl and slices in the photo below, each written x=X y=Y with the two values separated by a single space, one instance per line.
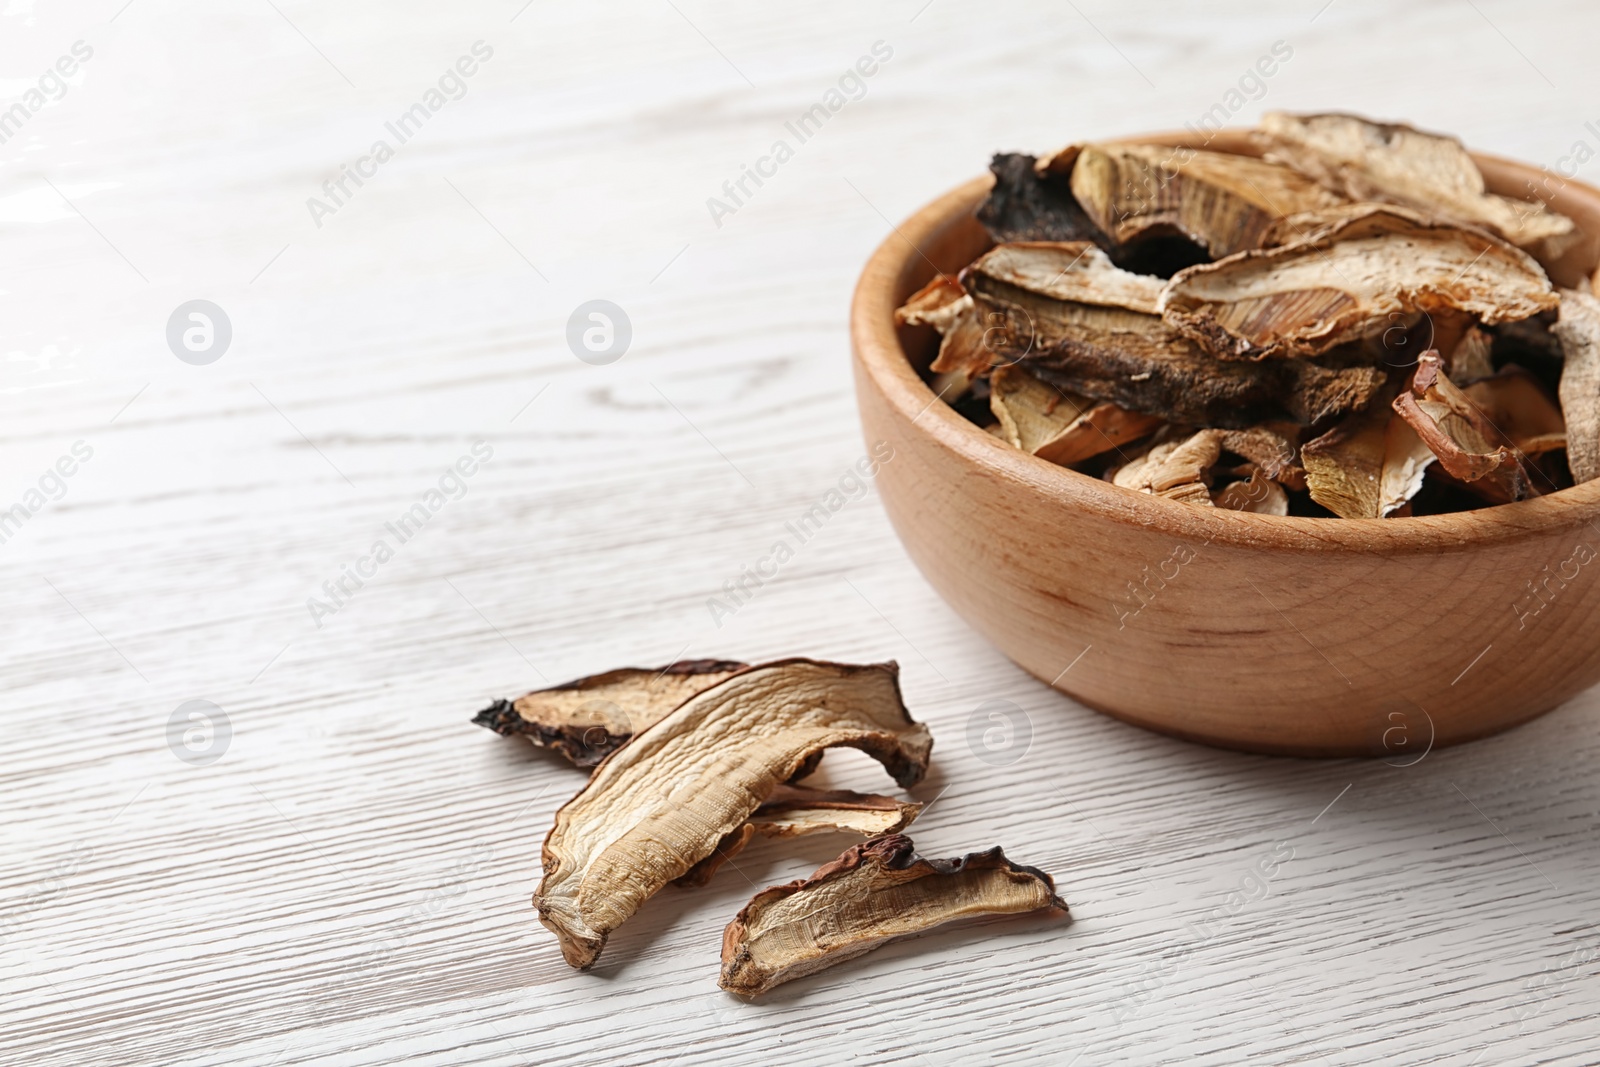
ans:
x=350 y=882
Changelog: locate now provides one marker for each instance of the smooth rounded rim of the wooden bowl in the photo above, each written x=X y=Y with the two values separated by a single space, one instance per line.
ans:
x=887 y=366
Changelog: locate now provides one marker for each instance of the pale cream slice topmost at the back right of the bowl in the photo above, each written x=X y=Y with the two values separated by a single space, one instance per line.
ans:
x=1396 y=164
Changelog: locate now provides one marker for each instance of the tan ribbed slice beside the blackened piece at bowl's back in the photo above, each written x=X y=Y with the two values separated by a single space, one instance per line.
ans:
x=1222 y=202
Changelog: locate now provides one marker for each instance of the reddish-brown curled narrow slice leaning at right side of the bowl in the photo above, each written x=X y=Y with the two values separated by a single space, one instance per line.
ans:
x=1462 y=436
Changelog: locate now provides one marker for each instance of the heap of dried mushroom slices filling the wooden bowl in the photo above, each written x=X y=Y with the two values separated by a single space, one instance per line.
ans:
x=1350 y=326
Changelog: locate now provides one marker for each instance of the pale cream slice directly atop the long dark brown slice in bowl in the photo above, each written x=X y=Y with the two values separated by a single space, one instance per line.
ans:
x=1070 y=271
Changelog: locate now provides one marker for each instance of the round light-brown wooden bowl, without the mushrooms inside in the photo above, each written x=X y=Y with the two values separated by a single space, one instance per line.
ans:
x=1318 y=637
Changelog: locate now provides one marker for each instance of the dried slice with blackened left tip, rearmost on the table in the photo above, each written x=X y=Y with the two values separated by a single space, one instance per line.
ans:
x=591 y=717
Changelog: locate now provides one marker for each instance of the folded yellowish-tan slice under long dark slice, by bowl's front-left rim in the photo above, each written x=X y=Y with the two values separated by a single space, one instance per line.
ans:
x=1055 y=425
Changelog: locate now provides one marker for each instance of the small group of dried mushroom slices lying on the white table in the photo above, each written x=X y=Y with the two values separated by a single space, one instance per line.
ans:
x=695 y=759
